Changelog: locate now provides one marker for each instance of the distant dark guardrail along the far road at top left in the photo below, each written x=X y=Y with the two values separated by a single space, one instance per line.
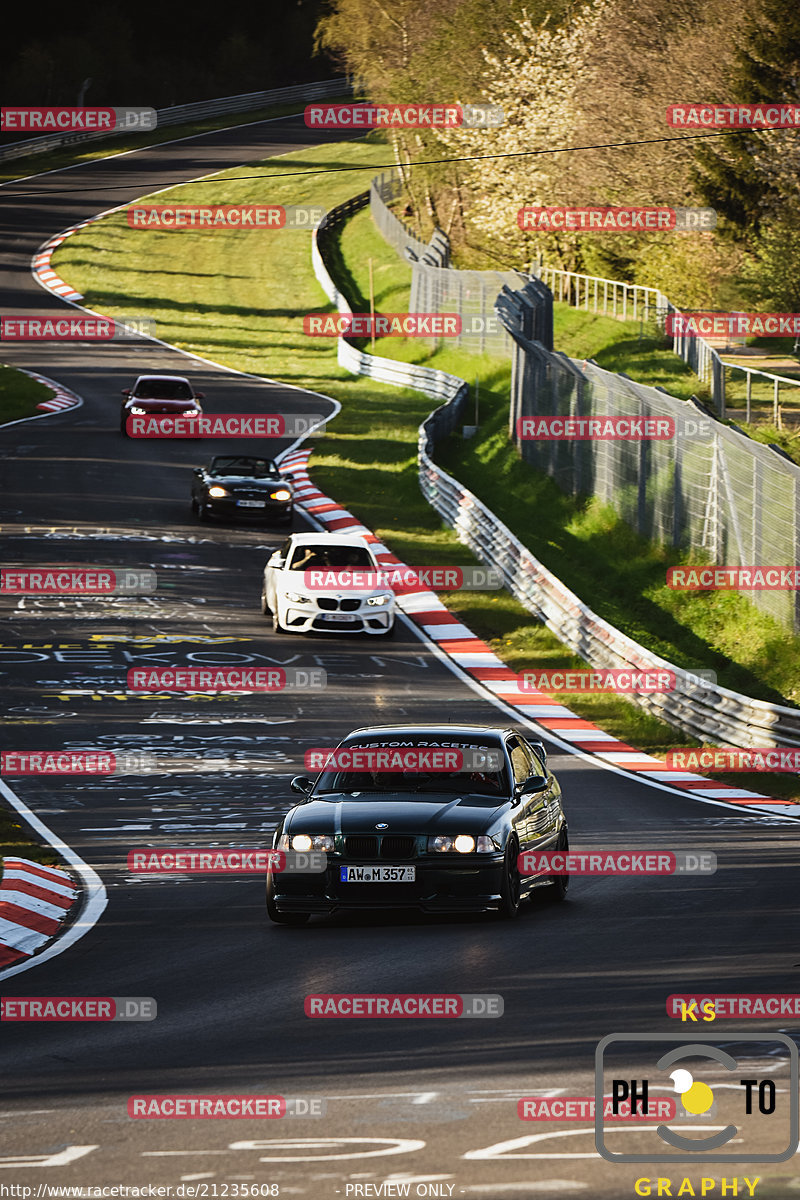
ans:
x=178 y=115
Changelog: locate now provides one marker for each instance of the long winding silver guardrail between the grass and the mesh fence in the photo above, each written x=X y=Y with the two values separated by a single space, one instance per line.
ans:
x=706 y=711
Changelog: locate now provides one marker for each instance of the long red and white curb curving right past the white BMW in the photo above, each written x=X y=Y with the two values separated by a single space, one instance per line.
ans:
x=478 y=663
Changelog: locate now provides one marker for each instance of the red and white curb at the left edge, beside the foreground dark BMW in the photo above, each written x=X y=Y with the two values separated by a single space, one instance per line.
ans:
x=34 y=903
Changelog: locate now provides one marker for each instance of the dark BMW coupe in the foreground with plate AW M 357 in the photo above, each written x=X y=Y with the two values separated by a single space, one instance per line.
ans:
x=424 y=839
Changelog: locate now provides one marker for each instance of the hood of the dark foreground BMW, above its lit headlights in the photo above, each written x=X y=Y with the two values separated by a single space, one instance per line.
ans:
x=402 y=813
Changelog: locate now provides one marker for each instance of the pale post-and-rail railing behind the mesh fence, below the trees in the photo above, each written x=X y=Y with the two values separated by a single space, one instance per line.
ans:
x=634 y=302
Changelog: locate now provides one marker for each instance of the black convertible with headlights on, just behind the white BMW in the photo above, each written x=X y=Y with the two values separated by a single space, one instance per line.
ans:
x=242 y=487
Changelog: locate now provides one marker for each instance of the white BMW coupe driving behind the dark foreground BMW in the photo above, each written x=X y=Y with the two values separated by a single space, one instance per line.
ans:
x=327 y=583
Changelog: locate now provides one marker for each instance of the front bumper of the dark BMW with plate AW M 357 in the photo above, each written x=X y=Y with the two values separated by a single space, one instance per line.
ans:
x=472 y=886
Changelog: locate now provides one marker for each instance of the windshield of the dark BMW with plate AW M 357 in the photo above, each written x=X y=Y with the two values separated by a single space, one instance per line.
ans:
x=416 y=769
